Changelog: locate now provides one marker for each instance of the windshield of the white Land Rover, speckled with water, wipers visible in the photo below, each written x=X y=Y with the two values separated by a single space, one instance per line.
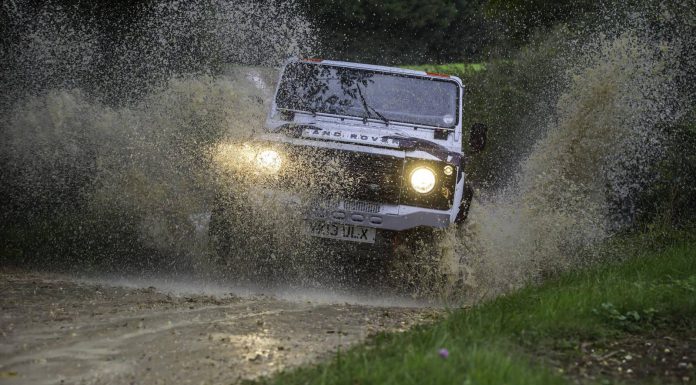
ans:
x=389 y=97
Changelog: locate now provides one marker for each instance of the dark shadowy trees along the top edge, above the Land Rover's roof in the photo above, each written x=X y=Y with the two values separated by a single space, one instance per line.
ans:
x=377 y=31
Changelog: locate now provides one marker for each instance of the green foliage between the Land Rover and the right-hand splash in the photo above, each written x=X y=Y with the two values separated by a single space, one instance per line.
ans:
x=508 y=95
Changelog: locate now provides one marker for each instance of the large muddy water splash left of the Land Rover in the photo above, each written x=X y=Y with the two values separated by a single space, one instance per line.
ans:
x=107 y=133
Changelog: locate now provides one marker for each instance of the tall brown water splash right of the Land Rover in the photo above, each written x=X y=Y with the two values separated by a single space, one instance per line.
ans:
x=577 y=186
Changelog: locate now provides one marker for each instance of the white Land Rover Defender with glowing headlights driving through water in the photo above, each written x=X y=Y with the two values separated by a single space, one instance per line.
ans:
x=379 y=147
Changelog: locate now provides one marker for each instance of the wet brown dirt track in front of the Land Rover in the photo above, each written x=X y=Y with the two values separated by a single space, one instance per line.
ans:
x=55 y=330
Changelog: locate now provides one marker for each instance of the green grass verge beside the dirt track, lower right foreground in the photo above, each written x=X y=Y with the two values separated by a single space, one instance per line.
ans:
x=501 y=341
